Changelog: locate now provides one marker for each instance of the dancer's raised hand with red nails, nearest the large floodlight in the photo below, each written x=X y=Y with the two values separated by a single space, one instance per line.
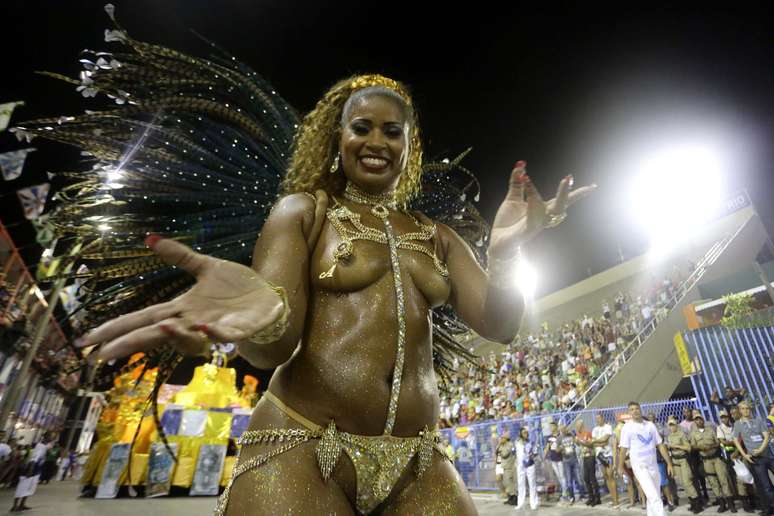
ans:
x=524 y=213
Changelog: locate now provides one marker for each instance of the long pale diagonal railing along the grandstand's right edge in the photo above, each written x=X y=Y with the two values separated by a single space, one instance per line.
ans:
x=636 y=343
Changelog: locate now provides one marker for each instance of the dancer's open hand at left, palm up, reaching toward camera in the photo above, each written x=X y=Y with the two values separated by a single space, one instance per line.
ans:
x=229 y=303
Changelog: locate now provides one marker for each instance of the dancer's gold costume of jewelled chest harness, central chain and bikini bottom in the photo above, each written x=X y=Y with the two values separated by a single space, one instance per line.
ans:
x=379 y=461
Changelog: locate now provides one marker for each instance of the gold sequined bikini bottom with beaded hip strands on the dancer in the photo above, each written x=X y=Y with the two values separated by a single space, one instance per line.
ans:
x=378 y=460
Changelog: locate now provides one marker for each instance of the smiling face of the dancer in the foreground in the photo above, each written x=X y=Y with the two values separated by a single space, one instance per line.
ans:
x=374 y=143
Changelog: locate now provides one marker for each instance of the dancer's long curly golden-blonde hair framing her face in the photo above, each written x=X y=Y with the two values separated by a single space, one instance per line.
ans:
x=315 y=144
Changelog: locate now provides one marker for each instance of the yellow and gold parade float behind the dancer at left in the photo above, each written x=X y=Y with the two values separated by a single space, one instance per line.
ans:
x=209 y=413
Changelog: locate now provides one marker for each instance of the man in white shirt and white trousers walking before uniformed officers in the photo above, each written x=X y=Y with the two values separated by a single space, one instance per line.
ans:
x=639 y=440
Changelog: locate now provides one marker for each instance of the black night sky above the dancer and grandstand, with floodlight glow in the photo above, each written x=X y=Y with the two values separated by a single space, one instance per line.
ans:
x=582 y=92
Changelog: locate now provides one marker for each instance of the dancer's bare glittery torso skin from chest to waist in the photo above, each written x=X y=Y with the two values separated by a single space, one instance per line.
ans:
x=344 y=366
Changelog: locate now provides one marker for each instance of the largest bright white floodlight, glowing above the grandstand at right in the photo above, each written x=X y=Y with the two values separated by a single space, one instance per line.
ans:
x=676 y=191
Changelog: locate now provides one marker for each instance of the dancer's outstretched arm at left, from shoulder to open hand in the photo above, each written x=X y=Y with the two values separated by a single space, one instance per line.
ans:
x=229 y=302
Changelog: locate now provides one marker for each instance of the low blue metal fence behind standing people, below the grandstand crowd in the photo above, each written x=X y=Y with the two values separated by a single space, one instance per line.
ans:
x=475 y=445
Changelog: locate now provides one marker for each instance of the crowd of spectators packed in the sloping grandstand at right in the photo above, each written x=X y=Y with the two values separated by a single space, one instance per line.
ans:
x=548 y=370
